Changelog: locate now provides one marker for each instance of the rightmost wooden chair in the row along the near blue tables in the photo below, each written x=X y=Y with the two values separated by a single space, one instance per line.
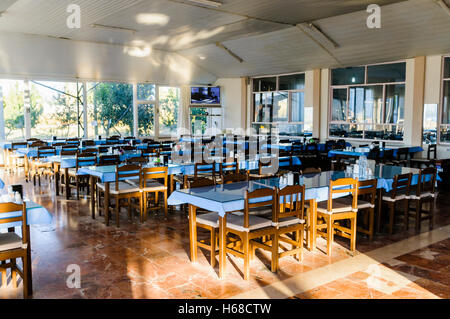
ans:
x=423 y=192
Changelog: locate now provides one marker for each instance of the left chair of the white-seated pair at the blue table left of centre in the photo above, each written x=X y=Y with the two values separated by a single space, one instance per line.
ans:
x=123 y=190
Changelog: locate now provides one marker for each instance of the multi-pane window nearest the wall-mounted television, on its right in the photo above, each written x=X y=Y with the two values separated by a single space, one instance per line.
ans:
x=278 y=105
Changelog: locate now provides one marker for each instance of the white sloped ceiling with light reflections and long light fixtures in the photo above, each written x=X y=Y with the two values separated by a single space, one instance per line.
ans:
x=261 y=32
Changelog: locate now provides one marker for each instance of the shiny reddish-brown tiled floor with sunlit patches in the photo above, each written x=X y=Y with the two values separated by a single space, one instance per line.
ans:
x=152 y=260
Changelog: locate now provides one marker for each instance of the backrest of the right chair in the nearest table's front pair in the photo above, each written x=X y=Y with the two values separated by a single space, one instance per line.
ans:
x=291 y=202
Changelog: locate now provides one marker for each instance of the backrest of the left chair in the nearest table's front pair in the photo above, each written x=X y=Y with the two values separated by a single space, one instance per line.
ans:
x=259 y=198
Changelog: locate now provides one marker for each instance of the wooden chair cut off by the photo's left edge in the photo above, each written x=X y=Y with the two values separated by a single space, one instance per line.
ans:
x=12 y=246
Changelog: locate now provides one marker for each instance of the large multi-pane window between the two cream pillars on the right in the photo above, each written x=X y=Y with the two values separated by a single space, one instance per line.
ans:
x=362 y=110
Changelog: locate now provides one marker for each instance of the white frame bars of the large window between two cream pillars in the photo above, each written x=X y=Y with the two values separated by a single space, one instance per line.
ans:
x=363 y=124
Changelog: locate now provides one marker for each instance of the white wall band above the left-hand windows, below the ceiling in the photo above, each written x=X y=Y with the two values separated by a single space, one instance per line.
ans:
x=39 y=57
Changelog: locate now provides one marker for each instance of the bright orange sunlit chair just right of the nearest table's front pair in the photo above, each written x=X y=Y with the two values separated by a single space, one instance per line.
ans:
x=337 y=209
